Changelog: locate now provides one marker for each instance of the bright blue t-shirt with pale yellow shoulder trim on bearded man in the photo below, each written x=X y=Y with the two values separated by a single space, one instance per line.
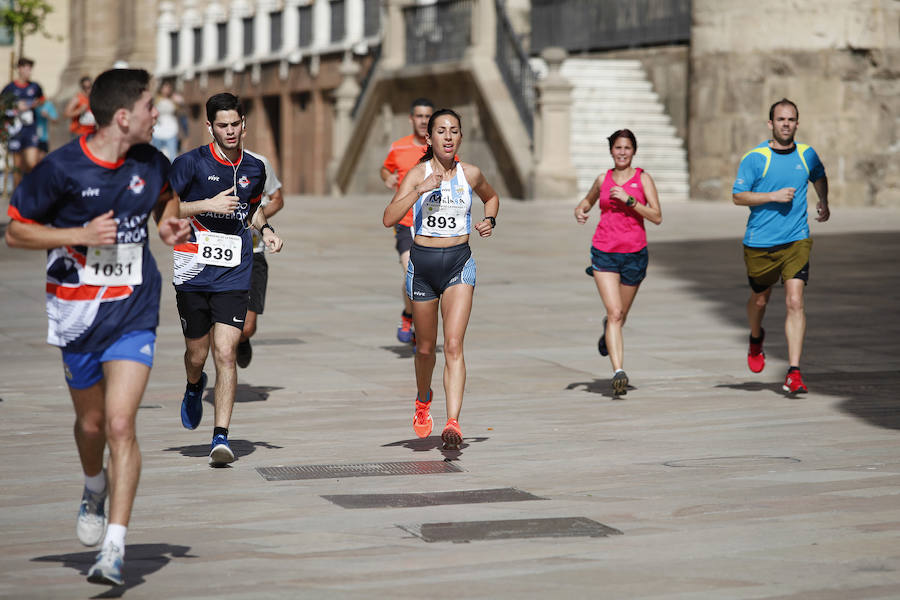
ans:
x=766 y=170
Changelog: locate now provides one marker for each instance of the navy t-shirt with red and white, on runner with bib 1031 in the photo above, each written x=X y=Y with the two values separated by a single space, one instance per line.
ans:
x=68 y=188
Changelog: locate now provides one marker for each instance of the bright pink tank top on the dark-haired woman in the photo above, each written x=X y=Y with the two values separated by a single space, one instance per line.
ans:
x=620 y=228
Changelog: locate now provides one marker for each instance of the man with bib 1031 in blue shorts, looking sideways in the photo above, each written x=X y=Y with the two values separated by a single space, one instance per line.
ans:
x=87 y=204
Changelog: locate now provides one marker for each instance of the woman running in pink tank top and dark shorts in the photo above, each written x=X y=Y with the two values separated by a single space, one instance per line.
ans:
x=627 y=196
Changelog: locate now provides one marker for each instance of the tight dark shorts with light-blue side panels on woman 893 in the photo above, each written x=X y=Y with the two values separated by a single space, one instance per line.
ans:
x=433 y=270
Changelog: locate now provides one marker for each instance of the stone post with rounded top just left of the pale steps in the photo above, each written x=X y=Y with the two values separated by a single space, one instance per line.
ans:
x=554 y=175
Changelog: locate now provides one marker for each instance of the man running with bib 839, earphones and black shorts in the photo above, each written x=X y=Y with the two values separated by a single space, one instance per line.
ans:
x=220 y=186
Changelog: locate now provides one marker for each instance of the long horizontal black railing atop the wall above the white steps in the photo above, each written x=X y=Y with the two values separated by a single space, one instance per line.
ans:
x=585 y=25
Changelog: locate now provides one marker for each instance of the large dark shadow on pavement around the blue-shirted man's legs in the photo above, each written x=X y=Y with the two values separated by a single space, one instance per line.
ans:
x=853 y=316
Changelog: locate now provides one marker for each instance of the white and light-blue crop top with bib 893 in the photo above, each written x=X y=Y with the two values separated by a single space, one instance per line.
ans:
x=444 y=211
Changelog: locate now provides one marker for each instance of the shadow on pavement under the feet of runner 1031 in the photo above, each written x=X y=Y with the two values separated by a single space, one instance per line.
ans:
x=141 y=560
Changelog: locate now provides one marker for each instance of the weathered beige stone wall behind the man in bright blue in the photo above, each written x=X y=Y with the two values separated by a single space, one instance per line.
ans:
x=838 y=61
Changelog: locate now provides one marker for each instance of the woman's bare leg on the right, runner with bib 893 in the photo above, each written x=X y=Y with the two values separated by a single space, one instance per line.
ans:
x=456 y=307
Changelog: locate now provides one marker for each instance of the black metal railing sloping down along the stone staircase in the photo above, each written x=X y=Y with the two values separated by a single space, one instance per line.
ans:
x=515 y=69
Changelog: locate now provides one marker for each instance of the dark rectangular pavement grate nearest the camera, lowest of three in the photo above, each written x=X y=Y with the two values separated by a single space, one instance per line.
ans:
x=468 y=531
